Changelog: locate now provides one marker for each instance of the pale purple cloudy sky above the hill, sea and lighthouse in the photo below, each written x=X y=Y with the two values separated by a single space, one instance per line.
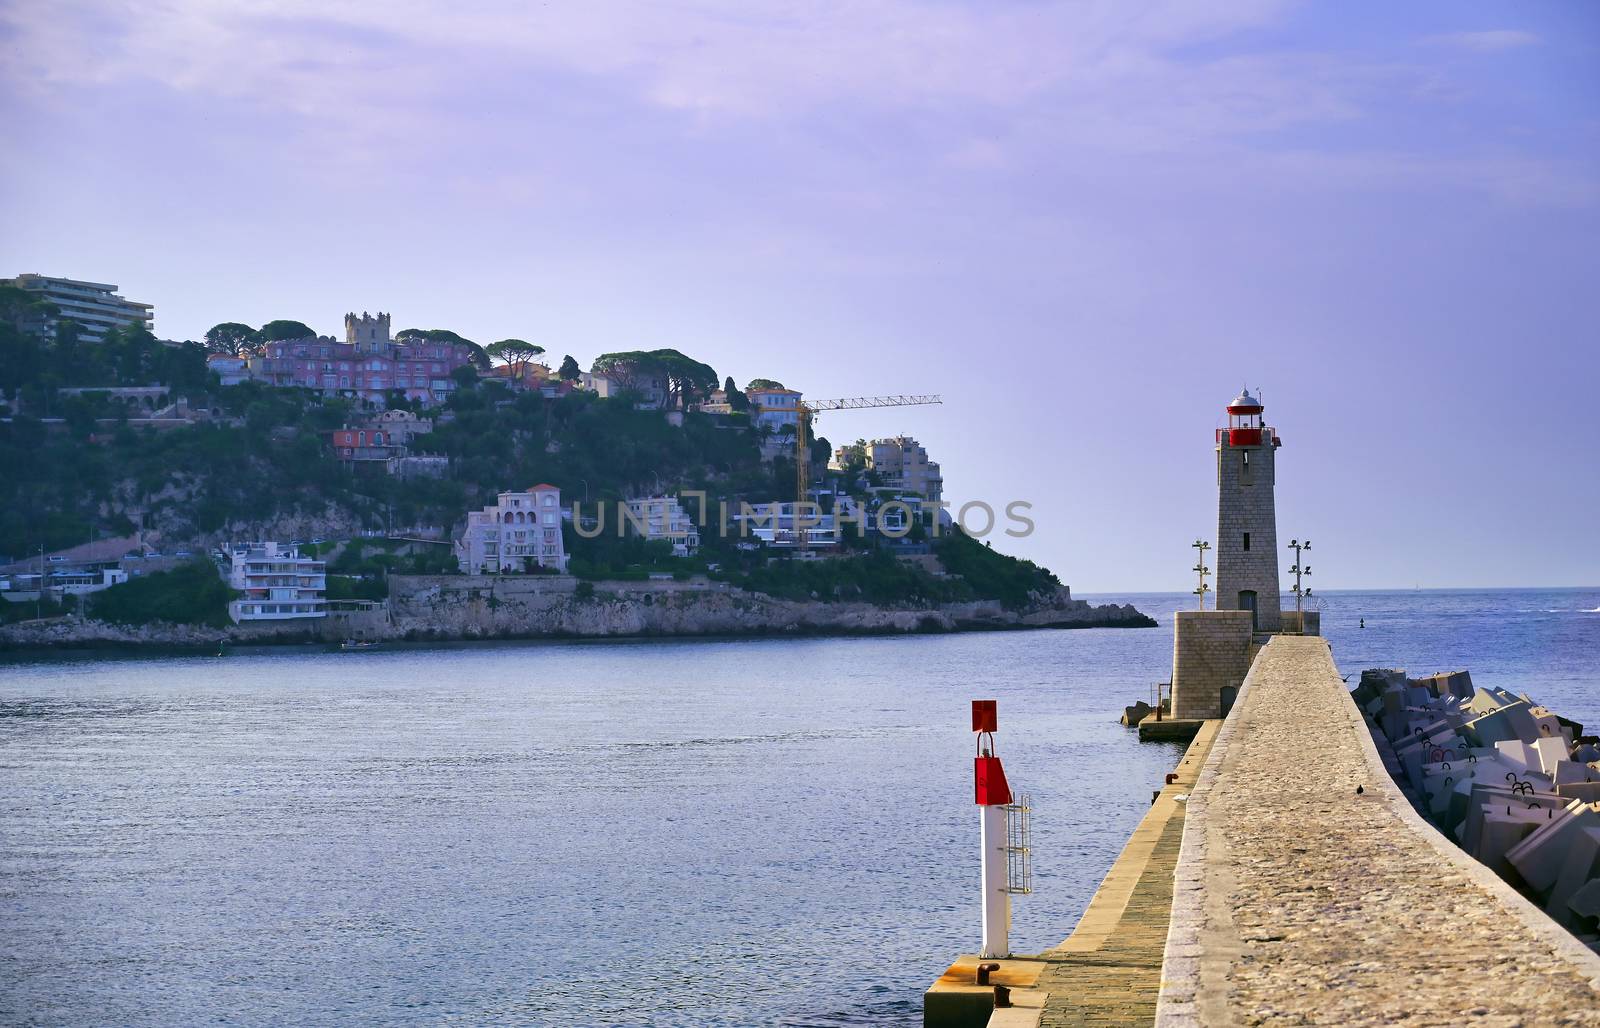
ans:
x=1086 y=225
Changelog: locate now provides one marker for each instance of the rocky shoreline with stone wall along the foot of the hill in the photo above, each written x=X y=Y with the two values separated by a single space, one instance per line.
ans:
x=458 y=609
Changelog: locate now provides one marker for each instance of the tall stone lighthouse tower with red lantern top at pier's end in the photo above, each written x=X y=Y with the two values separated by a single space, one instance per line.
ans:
x=1247 y=529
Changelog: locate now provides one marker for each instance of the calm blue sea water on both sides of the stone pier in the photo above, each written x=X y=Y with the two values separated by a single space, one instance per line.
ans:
x=698 y=833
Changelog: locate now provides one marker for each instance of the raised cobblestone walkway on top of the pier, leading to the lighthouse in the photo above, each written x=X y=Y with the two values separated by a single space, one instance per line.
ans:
x=1300 y=902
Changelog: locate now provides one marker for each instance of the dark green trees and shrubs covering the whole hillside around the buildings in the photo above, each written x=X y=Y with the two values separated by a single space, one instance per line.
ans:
x=265 y=457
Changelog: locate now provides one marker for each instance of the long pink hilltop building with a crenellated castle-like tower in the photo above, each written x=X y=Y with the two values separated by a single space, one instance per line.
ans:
x=369 y=364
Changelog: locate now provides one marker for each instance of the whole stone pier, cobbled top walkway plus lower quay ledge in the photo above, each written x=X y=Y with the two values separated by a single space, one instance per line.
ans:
x=1282 y=878
